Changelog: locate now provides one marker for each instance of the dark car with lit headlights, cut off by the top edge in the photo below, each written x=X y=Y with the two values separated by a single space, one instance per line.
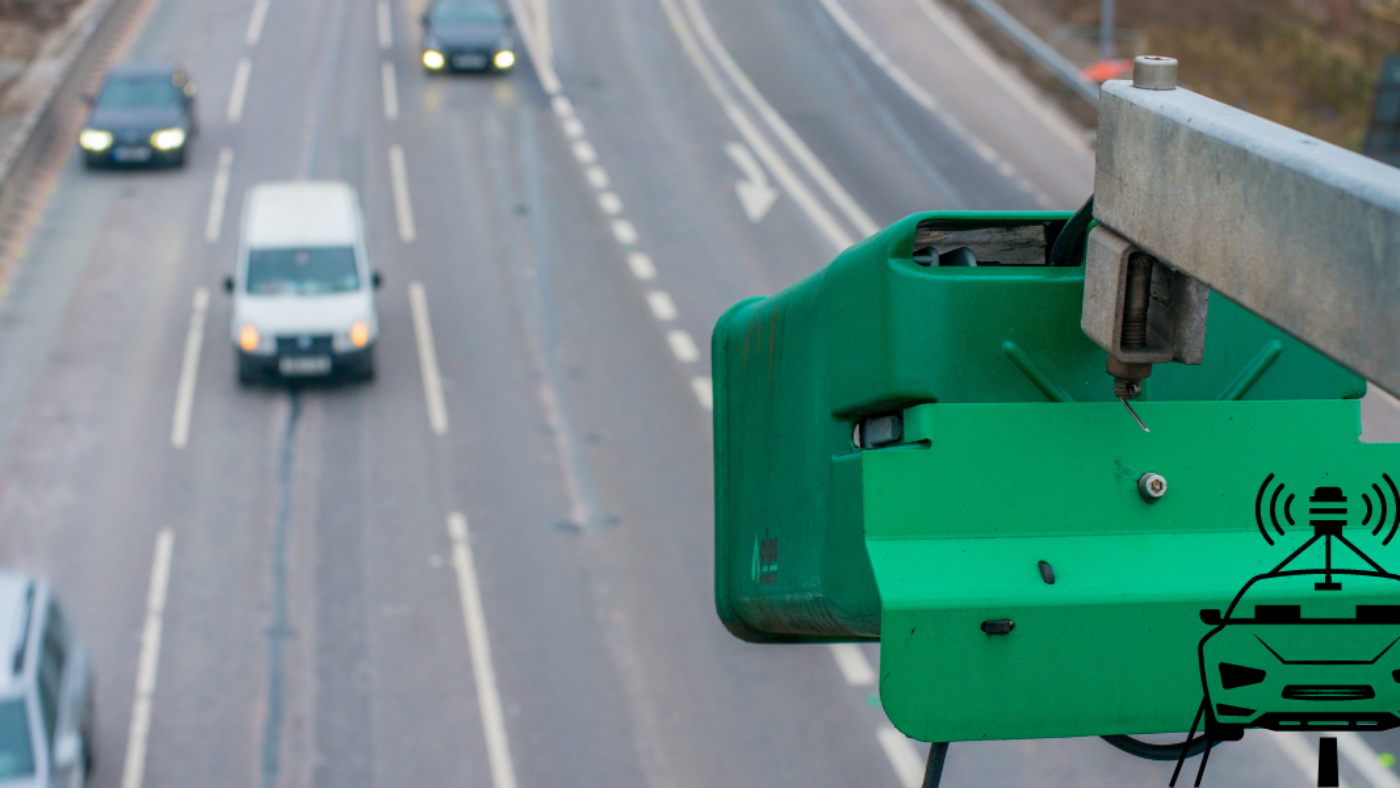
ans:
x=467 y=36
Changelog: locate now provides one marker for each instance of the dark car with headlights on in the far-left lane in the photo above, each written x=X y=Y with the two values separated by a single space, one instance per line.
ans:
x=145 y=114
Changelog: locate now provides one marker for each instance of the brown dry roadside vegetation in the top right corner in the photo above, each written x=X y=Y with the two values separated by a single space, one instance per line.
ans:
x=1308 y=64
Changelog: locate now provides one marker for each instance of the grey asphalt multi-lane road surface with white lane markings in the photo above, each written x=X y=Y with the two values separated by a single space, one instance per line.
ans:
x=492 y=566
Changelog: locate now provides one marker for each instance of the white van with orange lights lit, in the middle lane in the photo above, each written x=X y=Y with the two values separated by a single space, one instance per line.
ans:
x=303 y=289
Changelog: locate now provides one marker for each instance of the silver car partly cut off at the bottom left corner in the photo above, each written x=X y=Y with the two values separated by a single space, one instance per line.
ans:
x=45 y=691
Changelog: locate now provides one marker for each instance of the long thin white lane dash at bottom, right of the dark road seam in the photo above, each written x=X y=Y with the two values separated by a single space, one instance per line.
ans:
x=479 y=646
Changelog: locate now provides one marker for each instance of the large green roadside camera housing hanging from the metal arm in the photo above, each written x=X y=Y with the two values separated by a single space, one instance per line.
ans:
x=932 y=456
